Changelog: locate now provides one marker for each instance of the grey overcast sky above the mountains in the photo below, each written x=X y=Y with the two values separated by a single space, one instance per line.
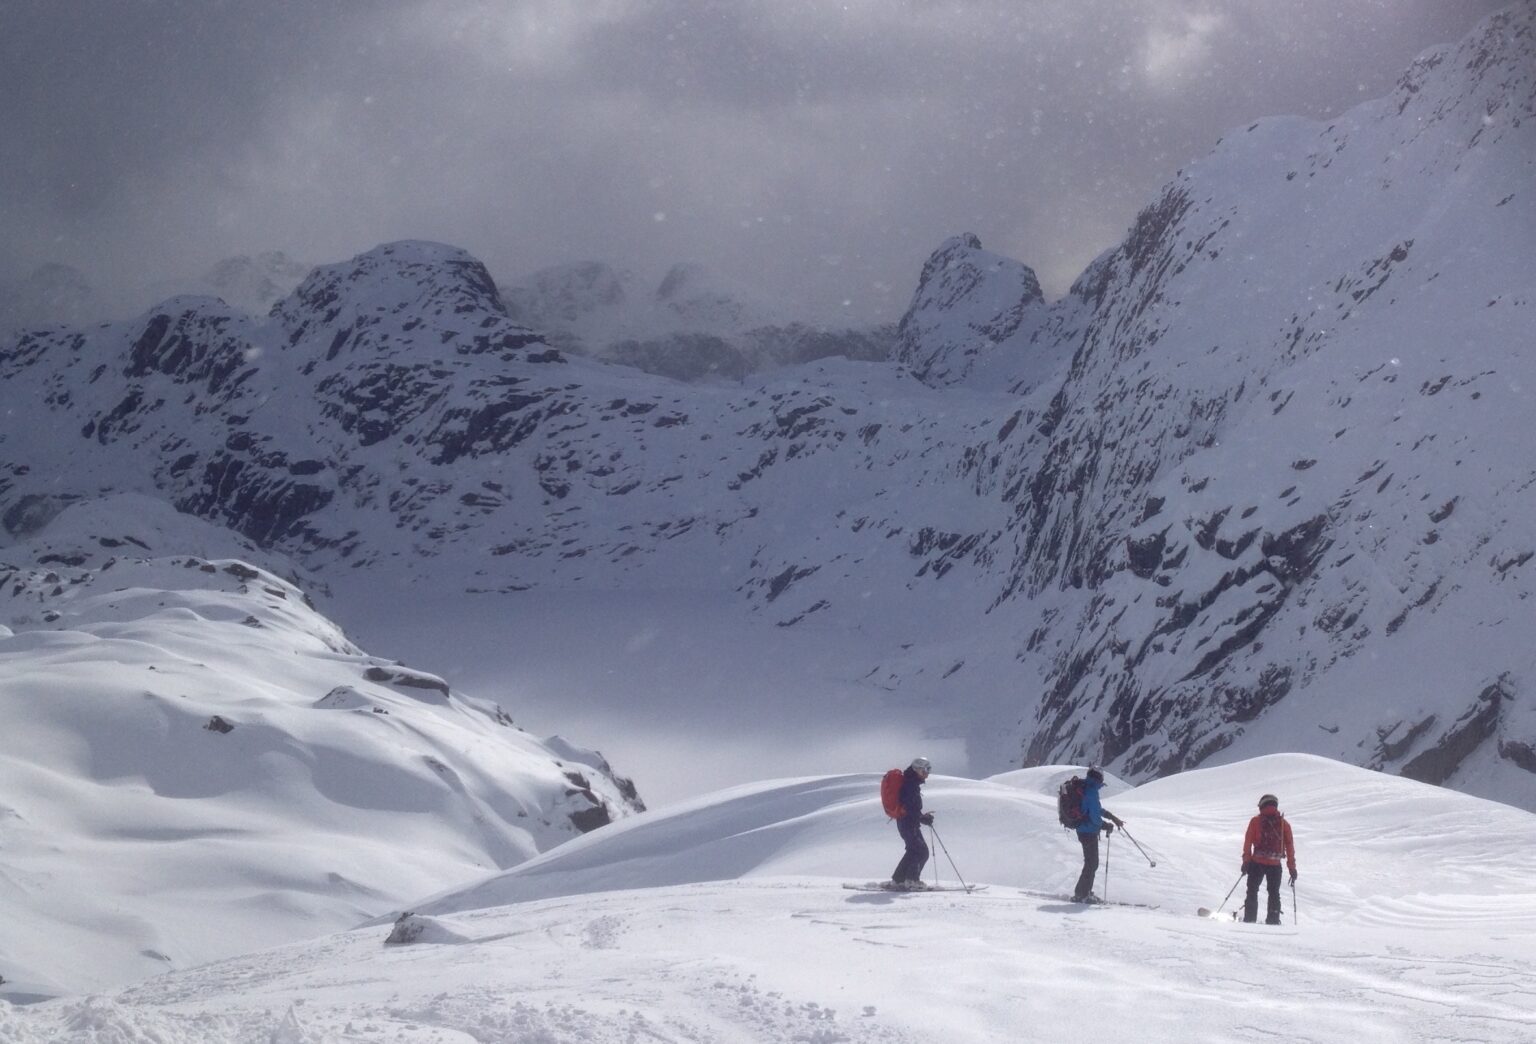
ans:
x=818 y=148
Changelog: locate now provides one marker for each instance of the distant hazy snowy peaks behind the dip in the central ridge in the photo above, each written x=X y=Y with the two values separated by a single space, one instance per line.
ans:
x=695 y=326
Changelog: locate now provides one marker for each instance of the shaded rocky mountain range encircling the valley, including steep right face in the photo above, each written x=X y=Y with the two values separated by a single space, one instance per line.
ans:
x=1260 y=481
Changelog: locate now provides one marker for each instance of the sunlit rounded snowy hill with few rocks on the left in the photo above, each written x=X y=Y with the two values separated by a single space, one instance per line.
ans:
x=196 y=762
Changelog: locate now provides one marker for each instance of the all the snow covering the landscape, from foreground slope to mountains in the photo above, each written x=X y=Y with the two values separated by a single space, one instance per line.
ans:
x=225 y=819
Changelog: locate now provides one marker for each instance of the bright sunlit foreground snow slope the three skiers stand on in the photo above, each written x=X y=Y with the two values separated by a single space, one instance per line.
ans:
x=723 y=920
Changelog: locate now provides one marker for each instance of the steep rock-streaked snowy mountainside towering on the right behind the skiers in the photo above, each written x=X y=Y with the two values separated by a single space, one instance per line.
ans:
x=1276 y=501
